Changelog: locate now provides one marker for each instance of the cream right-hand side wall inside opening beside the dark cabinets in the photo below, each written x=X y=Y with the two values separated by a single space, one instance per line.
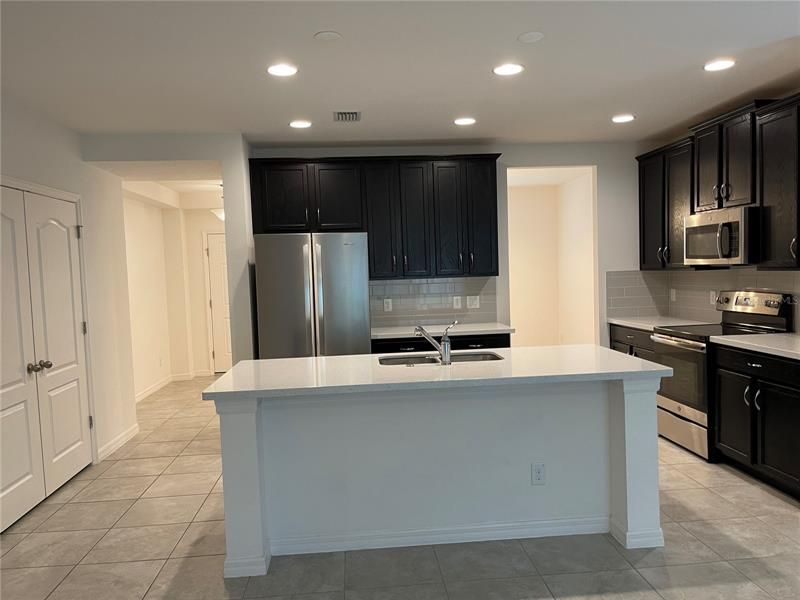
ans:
x=577 y=279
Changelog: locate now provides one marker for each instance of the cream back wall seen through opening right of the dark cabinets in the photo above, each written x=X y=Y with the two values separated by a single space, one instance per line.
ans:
x=533 y=264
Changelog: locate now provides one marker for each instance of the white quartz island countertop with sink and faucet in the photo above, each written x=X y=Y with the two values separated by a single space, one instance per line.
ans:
x=275 y=378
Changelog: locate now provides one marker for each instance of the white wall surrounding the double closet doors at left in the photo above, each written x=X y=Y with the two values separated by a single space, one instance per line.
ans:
x=35 y=149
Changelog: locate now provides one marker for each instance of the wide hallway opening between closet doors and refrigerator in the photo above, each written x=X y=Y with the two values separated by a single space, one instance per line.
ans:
x=177 y=275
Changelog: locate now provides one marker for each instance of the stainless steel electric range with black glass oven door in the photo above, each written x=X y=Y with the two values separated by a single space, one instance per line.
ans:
x=683 y=398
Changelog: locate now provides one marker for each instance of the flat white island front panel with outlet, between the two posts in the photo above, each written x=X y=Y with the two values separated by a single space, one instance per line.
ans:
x=407 y=467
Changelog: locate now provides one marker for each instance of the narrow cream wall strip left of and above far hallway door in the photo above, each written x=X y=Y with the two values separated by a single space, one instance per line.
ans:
x=197 y=223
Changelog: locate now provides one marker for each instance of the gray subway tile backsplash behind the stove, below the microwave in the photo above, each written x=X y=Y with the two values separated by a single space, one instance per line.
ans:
x=646 y=293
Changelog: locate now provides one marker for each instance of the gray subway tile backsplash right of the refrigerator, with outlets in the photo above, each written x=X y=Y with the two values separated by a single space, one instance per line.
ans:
x=430 y=301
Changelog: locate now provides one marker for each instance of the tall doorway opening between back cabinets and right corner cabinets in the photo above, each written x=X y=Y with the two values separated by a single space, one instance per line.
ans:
x=552 y=250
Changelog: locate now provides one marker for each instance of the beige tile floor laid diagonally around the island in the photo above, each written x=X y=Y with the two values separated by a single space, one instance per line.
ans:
x=148 y=523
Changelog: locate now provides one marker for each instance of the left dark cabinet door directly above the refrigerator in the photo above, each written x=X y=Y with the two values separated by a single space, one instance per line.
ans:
x=285 y=198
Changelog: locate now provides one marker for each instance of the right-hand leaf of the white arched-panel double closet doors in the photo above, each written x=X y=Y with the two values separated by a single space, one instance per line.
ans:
x=58 y=338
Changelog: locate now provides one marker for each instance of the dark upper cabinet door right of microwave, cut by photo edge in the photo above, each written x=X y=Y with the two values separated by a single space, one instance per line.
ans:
x=777 y=186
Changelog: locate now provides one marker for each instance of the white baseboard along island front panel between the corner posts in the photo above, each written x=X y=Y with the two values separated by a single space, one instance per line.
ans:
x=424 y=537
